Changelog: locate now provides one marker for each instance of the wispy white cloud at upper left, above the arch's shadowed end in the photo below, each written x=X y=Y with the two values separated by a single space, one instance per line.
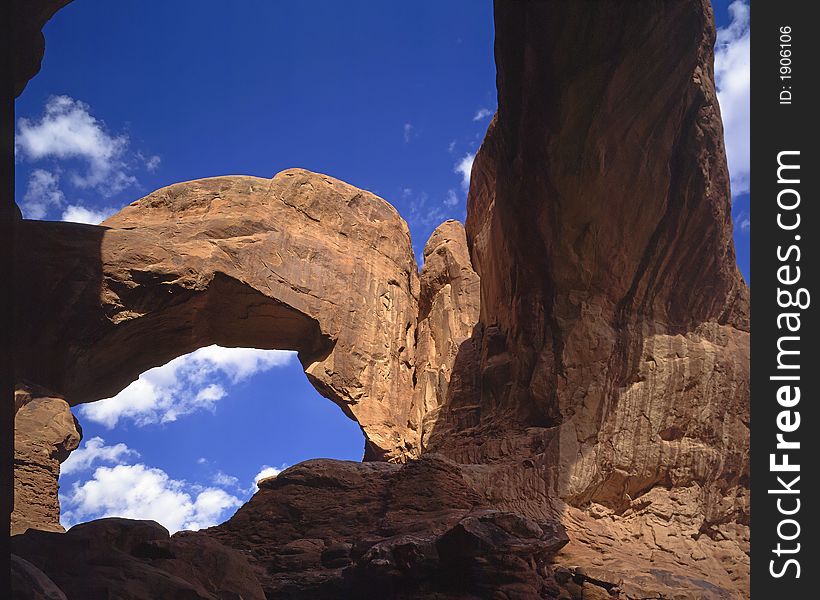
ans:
x=67 y=130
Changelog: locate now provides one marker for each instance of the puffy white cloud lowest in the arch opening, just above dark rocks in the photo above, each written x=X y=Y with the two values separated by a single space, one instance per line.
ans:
x=141 y=492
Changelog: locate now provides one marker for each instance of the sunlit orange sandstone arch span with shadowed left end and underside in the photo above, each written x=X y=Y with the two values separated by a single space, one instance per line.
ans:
x=301 y=262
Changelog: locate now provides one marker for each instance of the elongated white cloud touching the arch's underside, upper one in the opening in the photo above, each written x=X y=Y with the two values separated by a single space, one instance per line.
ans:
x=186 y=384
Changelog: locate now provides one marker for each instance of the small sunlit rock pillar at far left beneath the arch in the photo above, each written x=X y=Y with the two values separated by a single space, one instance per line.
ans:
x=45 y=433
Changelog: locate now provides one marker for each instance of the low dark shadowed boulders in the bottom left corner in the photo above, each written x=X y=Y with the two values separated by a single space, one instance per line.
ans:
x=137 y=560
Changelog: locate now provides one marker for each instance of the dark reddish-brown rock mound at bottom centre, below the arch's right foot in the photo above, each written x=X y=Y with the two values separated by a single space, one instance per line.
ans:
x=376 y=530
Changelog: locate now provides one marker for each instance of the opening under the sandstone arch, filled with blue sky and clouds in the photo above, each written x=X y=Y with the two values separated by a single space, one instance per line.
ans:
x=186 y=443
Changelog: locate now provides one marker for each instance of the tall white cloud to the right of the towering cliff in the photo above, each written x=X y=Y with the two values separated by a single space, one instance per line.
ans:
x=732 y=78
